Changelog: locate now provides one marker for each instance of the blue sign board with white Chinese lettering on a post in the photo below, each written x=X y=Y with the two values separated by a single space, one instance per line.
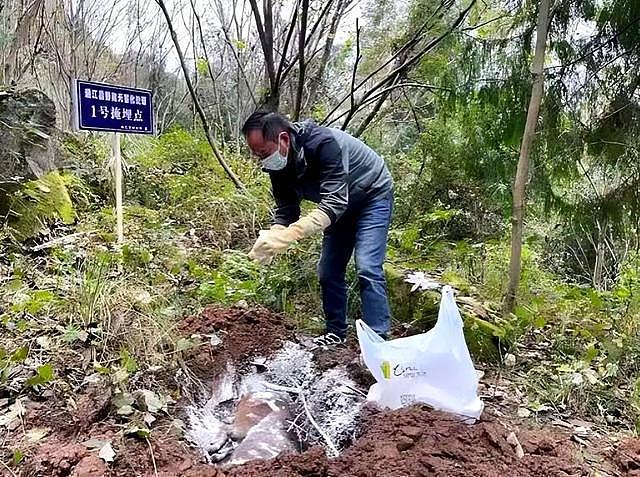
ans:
x=105 y=107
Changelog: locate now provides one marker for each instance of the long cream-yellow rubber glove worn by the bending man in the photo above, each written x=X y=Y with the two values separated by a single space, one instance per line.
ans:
x=278 y=240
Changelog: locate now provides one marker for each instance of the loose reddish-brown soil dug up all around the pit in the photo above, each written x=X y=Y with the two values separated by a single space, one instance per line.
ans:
x=414 y=441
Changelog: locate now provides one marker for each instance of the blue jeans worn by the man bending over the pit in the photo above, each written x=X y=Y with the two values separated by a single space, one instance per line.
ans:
x=364 y=231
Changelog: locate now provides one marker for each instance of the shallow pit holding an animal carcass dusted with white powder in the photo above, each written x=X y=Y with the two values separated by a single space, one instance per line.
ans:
x=283 y=403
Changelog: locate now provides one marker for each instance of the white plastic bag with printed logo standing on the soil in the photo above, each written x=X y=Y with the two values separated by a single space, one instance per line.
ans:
x=433 y=368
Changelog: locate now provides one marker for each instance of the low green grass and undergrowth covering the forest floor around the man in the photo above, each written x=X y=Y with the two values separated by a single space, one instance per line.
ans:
x=187 y=234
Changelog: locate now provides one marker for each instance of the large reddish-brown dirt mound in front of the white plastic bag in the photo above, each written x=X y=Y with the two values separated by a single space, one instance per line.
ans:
x=418 y=441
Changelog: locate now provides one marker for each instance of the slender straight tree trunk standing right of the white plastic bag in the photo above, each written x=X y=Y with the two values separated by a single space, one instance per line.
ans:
x=522 y=171
